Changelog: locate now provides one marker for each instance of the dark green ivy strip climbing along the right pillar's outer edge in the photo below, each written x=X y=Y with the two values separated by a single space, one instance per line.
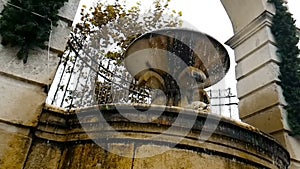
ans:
x=284 y=31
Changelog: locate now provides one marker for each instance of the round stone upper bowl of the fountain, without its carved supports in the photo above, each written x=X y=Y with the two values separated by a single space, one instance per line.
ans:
x=171 y=50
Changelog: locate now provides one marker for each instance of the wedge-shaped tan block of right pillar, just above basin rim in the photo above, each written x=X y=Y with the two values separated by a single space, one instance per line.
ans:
x=268 y=121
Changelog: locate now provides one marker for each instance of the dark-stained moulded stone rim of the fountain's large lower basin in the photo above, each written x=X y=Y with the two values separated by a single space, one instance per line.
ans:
x=244 y=137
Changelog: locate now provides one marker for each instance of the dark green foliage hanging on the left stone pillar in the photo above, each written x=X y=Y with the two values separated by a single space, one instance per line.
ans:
x=27 y=23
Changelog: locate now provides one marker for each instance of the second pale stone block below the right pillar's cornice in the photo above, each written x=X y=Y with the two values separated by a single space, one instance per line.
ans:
x=257 y=59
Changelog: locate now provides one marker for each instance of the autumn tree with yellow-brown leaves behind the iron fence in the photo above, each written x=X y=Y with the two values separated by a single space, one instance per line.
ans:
x=102 y=35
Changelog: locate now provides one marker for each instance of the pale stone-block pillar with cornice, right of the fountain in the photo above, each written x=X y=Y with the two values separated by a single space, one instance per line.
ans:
x=261 y=100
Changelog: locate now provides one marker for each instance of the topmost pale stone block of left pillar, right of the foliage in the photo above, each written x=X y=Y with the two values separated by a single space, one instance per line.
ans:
x=69 y=10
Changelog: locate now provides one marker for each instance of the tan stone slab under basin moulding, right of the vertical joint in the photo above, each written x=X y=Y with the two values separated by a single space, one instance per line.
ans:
x=176 y=158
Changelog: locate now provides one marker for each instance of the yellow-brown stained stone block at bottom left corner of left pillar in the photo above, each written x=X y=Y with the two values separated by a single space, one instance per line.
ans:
x=14 y=146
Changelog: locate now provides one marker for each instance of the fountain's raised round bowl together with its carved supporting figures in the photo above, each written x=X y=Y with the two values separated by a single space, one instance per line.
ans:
x=177 y=60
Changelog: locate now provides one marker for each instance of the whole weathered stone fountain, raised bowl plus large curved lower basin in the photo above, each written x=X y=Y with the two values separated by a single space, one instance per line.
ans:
x=166 y=134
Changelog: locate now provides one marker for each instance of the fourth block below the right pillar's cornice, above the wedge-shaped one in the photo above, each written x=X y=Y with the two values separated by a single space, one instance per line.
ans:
x=263 y=98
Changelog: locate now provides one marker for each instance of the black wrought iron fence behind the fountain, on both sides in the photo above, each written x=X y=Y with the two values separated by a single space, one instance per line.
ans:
x=84 y=80
